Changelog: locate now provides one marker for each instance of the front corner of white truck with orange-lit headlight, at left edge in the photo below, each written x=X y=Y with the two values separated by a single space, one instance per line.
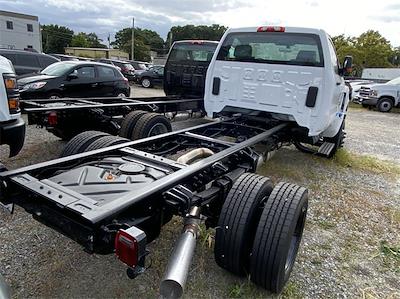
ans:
x=12 y=126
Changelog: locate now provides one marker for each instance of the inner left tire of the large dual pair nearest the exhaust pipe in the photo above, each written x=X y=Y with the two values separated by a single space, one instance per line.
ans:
x=238 y=222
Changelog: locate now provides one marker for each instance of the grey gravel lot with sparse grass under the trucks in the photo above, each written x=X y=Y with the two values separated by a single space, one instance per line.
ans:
x=351 y=244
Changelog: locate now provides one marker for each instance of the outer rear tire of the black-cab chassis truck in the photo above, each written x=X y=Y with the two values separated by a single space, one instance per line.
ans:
x=150 y=124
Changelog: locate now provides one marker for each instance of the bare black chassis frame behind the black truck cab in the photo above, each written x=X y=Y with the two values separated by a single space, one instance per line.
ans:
x=63 y=117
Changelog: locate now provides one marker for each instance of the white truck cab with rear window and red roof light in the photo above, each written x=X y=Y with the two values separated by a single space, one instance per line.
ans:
x=282 y=73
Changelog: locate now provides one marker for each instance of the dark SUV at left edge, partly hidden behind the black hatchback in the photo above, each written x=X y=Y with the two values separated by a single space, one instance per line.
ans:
x=26 y=62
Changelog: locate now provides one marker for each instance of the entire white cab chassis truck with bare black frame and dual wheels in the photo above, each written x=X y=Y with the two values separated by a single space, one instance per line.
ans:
x=271 y=85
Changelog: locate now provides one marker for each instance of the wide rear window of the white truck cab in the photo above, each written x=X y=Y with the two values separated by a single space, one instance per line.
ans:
x=273 y=47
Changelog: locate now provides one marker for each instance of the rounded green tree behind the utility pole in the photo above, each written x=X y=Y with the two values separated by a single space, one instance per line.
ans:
x=145 y=40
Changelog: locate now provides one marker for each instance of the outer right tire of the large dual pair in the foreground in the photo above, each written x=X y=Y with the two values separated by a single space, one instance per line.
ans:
x=278 y=236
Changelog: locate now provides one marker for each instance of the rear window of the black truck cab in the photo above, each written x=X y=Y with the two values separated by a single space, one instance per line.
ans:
x=192 y=52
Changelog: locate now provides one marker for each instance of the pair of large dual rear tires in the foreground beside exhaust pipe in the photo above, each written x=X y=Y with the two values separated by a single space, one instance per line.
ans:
x=260 y=229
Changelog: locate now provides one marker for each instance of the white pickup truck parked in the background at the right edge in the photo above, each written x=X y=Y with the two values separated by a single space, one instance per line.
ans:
x=382 y=96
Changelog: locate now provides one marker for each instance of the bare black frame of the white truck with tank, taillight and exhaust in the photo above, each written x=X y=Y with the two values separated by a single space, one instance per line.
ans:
x=117 y=198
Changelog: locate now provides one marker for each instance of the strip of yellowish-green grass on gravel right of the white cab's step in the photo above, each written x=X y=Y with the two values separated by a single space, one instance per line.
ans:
x=346 y=159
